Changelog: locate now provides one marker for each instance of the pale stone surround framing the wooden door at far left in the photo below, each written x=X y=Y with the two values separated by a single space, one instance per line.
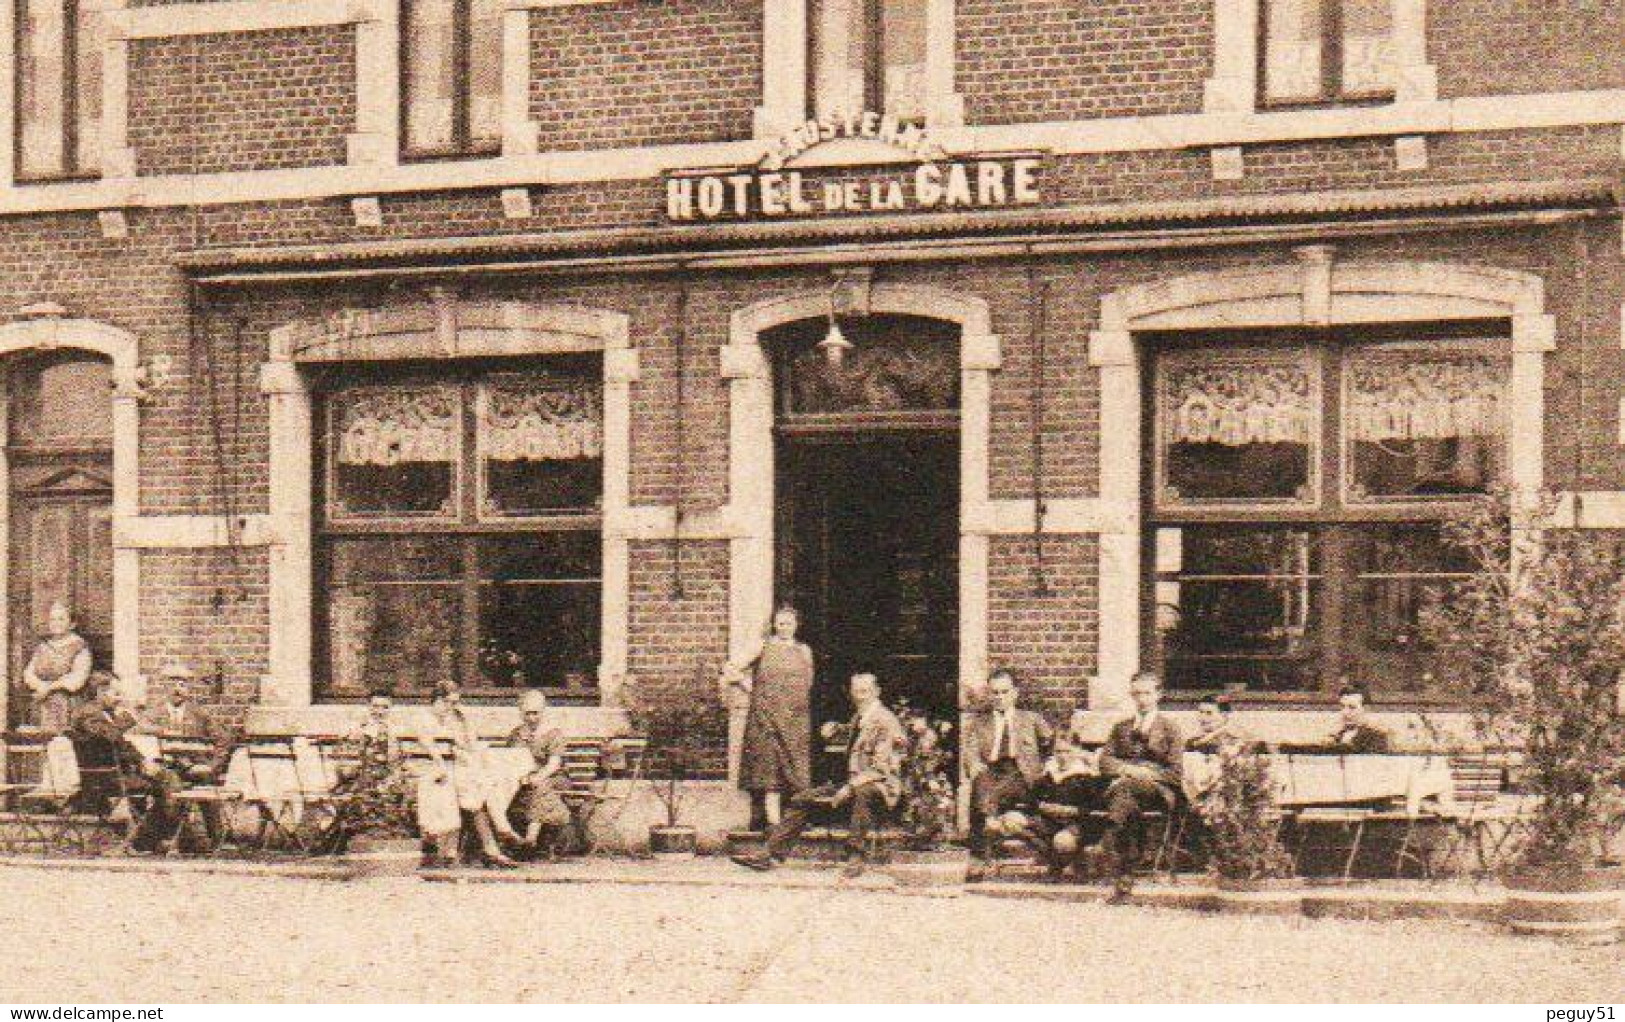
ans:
x=50 y=329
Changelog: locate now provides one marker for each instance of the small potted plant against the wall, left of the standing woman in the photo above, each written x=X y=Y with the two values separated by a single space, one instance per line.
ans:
x=682 y=729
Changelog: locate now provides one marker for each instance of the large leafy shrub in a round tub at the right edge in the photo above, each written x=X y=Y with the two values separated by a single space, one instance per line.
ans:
x=1538 y=636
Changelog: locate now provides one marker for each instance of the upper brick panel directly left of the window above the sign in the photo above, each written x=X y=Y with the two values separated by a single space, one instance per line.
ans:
x=646 y=72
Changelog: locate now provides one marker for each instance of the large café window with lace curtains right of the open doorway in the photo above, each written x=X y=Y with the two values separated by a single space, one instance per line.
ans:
x=1296 y=506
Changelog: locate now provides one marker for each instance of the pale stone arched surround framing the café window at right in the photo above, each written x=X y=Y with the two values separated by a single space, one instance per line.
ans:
x=1317 y=290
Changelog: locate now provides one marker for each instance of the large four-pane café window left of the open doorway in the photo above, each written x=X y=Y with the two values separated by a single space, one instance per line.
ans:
x=461 y=530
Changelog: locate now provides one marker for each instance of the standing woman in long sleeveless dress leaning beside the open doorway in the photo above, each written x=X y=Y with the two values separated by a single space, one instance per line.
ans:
x=776 y=755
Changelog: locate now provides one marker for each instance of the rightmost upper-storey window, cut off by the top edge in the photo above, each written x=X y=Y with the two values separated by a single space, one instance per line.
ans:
x=1327 y=51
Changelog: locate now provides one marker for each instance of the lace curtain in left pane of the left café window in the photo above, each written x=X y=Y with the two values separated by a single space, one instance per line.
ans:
x=389 y=428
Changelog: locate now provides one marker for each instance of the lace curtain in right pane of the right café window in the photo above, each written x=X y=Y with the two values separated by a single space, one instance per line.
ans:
x=1426 y=399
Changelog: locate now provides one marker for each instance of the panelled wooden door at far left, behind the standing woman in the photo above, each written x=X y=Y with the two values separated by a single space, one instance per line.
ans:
x=59 y=461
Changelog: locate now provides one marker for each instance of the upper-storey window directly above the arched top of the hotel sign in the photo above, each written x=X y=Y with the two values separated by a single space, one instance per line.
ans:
x=870 y=56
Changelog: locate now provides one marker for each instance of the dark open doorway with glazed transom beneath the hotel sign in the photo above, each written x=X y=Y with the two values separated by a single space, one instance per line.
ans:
x=869 y=498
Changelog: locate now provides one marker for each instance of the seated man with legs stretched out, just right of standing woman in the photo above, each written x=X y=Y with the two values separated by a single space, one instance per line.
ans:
x=873 y=784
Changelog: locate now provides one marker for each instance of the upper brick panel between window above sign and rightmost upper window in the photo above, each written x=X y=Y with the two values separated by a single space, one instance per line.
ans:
x=1059 y=61
